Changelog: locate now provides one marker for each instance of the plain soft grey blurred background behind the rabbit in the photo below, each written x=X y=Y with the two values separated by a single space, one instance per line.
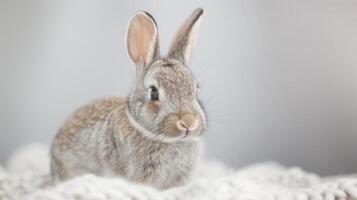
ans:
x=279 y=77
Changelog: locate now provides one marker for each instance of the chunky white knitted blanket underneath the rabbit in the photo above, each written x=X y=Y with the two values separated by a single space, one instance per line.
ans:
x=26 y=177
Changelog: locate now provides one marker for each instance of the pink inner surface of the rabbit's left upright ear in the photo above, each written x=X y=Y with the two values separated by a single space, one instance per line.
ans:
x=141 y=35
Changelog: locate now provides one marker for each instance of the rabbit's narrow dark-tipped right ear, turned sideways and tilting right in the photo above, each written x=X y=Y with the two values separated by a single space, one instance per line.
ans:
x=185 y=37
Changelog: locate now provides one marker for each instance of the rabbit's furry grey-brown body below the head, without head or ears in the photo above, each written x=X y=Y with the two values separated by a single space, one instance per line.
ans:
x=99 y=139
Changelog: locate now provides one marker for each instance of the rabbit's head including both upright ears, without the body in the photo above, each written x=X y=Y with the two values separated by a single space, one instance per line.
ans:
x=163 y=103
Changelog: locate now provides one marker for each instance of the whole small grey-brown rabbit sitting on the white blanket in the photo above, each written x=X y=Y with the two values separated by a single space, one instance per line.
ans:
x=152 y=136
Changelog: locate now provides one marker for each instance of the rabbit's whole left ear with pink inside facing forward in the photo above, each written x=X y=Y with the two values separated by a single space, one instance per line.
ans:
x=142 y=39
